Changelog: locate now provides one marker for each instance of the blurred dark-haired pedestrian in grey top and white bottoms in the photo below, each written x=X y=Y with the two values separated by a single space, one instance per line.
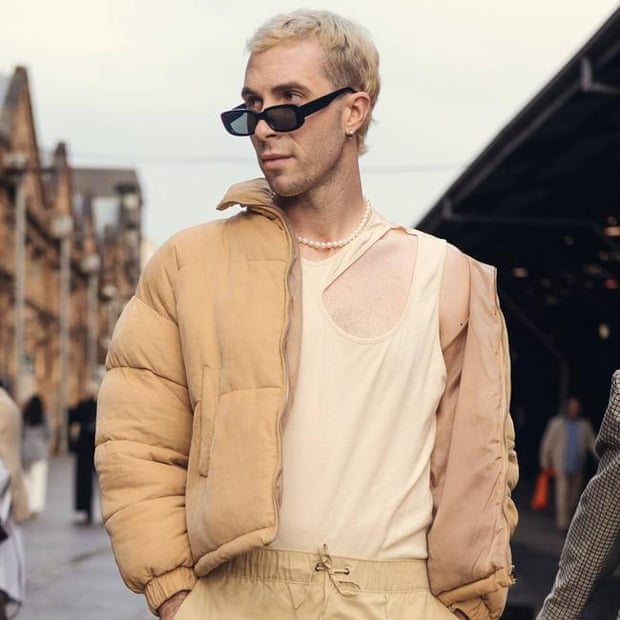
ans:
x=35 y=452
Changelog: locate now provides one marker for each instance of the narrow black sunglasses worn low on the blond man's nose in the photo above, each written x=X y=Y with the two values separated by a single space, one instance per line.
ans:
x=242 y=122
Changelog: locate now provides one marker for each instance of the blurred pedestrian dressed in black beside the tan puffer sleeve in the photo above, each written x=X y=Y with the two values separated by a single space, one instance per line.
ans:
x=82 y=433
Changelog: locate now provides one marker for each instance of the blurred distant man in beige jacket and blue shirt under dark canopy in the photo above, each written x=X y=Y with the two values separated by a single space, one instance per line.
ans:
x=566 y=442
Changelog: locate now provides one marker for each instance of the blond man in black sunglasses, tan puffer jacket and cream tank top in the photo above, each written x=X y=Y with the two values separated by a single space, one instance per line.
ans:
x=257 y=465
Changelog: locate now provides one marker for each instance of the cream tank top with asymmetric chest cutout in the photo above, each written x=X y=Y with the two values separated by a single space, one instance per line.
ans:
x=358 y=440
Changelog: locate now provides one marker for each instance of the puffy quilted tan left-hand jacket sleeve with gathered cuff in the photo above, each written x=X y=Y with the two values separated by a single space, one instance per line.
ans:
x=143 y=434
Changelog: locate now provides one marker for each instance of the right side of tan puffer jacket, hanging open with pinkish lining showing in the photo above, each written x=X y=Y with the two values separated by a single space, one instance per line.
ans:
x=474 y=465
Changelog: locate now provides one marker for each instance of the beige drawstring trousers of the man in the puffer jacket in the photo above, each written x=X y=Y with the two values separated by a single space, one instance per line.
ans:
x=282 y=585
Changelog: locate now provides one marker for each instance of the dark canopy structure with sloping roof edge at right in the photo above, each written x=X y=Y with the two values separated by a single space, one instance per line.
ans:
x=542 y=203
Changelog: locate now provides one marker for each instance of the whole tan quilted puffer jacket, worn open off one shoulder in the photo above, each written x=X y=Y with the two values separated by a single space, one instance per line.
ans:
x=200 y=373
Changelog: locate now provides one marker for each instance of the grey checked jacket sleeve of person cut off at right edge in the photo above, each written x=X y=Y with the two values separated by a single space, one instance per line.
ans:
x=592 y=547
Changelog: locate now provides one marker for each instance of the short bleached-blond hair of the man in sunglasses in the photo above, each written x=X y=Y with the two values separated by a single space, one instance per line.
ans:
x=351 y=58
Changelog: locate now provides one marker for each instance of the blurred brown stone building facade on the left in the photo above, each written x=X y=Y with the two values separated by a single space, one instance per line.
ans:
x=69 y=261
